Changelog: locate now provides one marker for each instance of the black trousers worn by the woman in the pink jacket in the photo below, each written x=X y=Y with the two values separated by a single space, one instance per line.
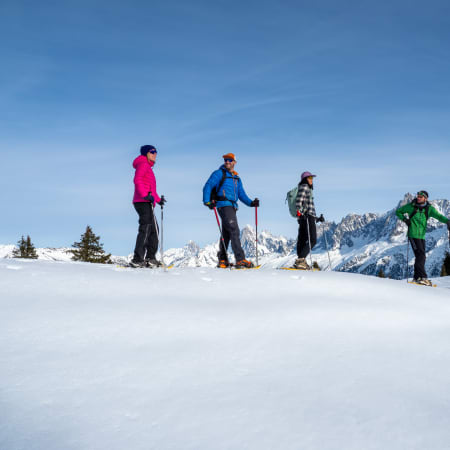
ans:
x=147 y=238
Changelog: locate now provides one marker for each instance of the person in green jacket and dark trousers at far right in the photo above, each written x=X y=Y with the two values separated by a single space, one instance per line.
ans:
x=418 y=212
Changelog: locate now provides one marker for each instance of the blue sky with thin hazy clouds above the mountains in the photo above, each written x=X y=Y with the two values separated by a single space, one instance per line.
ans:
x=354 y=91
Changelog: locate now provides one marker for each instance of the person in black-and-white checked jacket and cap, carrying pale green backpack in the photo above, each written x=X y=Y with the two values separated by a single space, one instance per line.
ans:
x=306 y=217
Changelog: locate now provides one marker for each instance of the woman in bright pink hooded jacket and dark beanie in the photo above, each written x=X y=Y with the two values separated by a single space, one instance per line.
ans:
x=144 y=199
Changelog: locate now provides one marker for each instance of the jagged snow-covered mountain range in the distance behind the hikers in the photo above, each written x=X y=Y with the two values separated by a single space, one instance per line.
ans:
x=358 y=243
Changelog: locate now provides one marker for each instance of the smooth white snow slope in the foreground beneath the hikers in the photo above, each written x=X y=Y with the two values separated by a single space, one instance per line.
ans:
x=100 y=357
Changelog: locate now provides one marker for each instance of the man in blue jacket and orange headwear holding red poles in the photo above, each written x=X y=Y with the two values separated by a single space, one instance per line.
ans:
x=223 y=190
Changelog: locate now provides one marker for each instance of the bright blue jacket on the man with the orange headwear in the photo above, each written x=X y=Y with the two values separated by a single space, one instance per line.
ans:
x=231 y=188
